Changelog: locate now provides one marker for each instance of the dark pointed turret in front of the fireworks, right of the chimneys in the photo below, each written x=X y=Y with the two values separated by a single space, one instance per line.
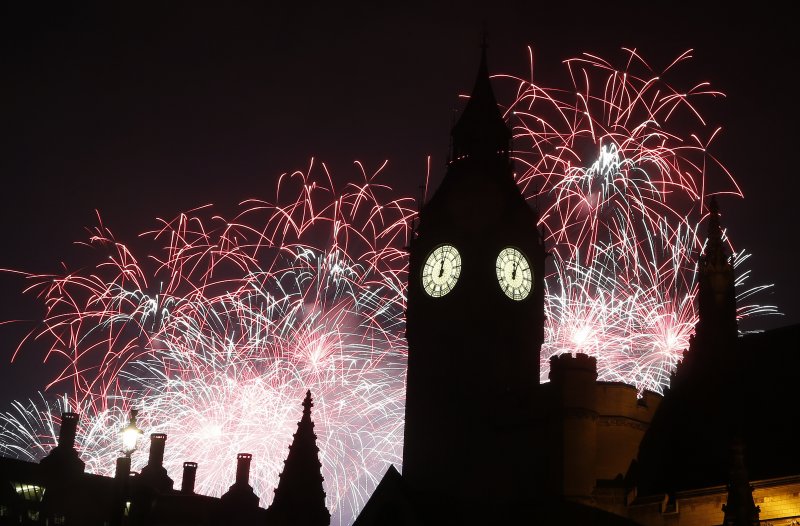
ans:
x=300 y=497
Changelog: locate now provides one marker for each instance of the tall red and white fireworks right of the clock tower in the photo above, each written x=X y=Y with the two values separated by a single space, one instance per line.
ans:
x=621 y=194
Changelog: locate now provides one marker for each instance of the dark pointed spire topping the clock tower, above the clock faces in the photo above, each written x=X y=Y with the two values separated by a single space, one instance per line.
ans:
x=481 y=131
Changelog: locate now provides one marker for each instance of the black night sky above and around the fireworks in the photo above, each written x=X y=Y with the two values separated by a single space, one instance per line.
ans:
x=143 y=110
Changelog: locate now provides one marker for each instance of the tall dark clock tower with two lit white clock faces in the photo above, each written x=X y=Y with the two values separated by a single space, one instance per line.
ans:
x=474 y=321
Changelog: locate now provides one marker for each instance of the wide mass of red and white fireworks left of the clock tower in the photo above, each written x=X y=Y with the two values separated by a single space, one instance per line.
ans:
x=218 y=333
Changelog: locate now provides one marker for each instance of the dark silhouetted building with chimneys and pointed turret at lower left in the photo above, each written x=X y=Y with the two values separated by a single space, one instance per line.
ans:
x=56 y=491
